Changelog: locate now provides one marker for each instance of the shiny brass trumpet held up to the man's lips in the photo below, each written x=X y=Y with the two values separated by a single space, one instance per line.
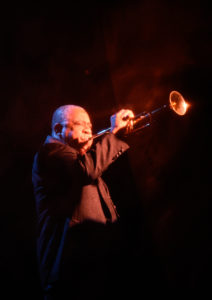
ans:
x=176 y=103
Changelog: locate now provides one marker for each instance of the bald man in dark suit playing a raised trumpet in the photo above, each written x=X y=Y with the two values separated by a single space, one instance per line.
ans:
x=76 y=216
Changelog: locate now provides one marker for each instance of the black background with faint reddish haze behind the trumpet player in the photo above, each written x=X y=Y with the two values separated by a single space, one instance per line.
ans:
x=105 y=56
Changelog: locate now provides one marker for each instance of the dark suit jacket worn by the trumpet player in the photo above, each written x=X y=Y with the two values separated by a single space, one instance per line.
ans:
x=69 y=191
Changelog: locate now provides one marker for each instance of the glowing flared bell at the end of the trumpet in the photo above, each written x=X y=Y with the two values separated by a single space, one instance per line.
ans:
x=177 y=103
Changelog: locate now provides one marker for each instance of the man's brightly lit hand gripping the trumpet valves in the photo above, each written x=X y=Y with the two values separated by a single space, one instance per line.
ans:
x=120 y=119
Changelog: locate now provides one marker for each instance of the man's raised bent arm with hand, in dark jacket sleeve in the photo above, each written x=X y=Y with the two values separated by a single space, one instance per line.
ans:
x=94 y=162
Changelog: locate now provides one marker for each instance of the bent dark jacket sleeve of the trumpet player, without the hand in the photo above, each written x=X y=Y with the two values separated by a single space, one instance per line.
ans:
x=94 y=162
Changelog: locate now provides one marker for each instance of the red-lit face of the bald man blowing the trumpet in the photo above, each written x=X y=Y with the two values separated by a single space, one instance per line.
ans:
x=77 y=130
